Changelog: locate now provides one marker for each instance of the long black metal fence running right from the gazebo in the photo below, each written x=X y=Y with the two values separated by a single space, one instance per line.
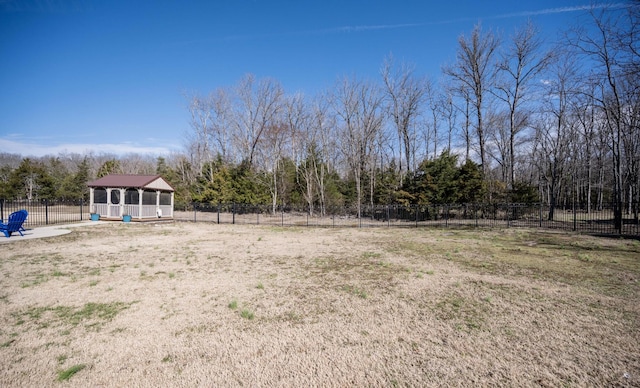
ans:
x=593 y=221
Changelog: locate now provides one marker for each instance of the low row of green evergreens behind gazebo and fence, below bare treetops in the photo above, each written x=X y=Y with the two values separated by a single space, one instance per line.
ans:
x=442 y=180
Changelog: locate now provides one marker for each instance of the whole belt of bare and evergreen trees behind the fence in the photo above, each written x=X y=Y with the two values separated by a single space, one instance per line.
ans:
x=510 y=119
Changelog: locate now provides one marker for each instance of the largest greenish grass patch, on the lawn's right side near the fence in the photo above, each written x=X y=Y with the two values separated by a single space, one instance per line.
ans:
x=603 y=265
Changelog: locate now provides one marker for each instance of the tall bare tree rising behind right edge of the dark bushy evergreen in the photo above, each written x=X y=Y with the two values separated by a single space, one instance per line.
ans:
x=473 y=72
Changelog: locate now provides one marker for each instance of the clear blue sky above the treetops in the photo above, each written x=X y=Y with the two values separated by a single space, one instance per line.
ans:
x=112 y=76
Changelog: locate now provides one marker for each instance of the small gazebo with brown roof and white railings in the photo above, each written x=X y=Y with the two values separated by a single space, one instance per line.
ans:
x=139 y=196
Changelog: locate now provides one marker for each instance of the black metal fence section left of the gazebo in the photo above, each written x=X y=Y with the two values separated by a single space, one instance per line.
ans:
x=47 y=212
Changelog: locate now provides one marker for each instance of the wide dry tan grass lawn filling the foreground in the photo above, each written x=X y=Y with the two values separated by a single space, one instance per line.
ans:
x=224 y=305
